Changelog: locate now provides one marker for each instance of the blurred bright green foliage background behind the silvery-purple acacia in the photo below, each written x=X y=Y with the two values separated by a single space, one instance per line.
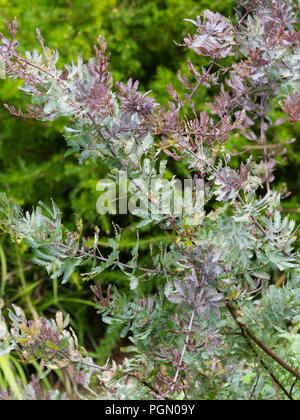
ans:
x=33 y=165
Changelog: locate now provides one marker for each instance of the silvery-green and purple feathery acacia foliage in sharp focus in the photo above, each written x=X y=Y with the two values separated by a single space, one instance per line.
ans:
x=217 y=327
